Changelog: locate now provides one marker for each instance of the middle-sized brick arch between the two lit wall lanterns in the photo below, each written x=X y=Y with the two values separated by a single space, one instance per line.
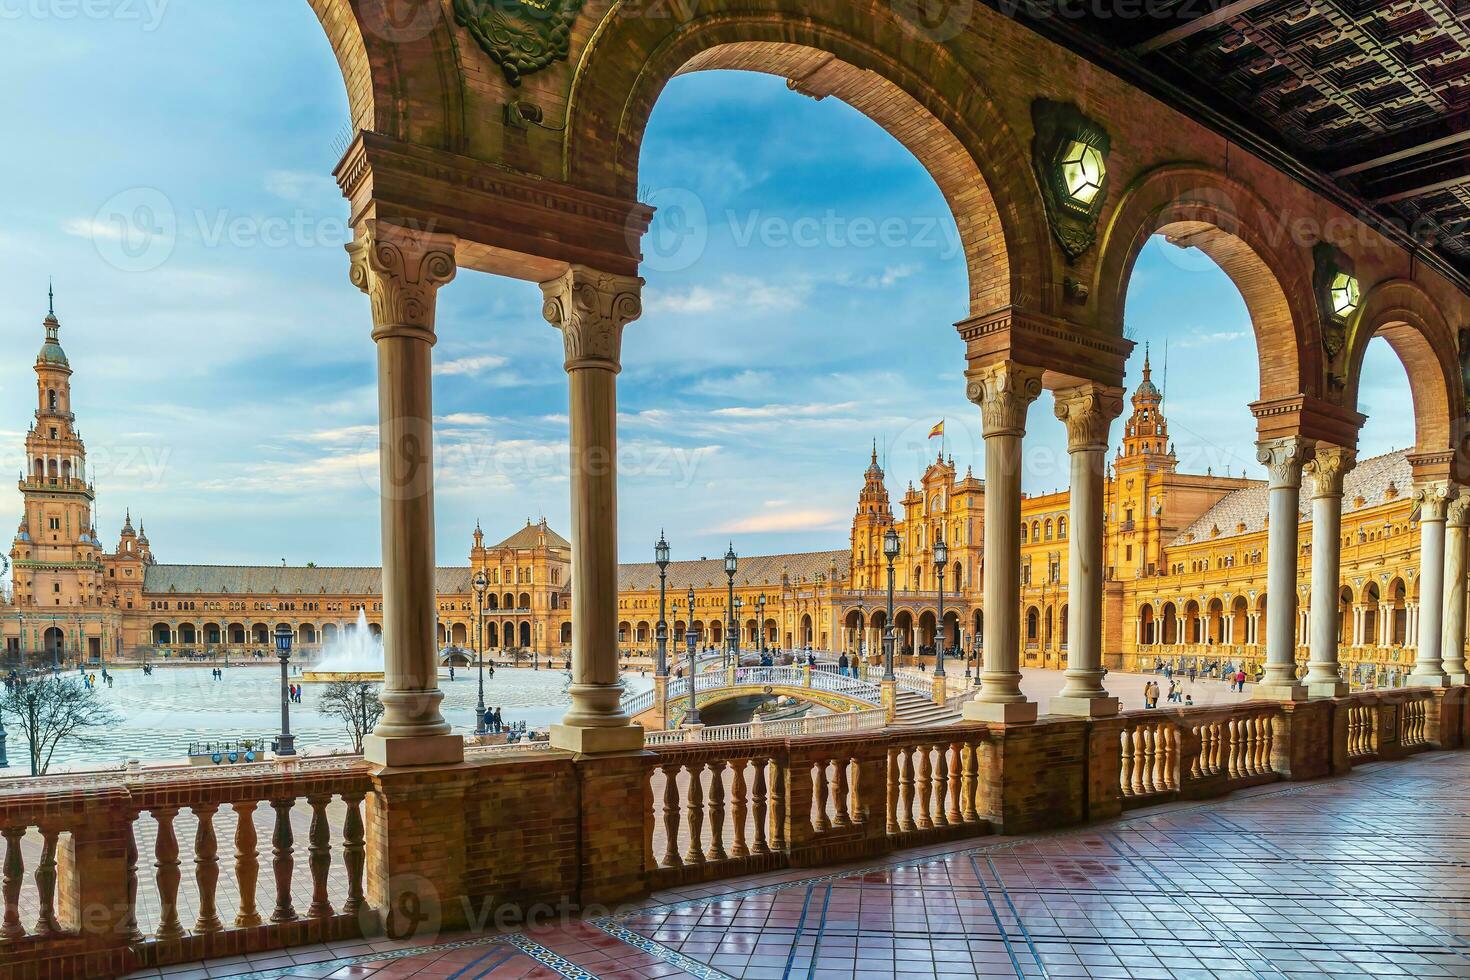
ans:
x=1252 y=245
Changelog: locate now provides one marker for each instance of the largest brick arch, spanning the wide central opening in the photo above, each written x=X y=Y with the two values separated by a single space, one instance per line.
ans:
x=915 y=89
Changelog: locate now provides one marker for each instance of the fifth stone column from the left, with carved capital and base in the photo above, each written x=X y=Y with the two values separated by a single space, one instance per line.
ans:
x=1283 y=459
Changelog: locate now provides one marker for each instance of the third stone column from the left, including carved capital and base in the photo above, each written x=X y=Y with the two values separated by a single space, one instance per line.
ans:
x=1005 y=393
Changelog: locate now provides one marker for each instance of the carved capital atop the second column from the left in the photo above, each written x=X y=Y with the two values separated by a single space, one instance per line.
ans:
x=592 y=311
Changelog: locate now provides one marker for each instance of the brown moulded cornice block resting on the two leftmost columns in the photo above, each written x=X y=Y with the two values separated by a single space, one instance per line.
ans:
x=508 y=223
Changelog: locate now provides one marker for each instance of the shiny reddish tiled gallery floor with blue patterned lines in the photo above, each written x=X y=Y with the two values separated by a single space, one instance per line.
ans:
x=1350 y=878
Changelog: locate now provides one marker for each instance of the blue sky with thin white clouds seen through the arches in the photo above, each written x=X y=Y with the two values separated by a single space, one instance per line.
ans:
x=226 y=377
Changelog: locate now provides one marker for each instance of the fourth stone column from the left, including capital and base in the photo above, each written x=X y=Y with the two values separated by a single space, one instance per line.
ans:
x=1089 y=412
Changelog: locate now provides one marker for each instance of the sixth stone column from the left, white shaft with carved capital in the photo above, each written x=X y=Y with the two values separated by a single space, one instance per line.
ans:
x=1328 y=466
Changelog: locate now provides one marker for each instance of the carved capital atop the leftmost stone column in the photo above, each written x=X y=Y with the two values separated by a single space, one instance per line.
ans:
x=402 y=271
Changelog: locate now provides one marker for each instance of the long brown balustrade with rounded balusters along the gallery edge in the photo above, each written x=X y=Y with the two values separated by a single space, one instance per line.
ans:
x=114 y=872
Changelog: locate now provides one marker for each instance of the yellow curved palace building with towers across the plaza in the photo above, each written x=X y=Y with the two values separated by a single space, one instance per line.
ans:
x=1186 y=574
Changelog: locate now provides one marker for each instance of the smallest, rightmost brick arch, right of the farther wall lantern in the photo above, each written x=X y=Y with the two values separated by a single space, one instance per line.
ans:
x=1410 y=321
